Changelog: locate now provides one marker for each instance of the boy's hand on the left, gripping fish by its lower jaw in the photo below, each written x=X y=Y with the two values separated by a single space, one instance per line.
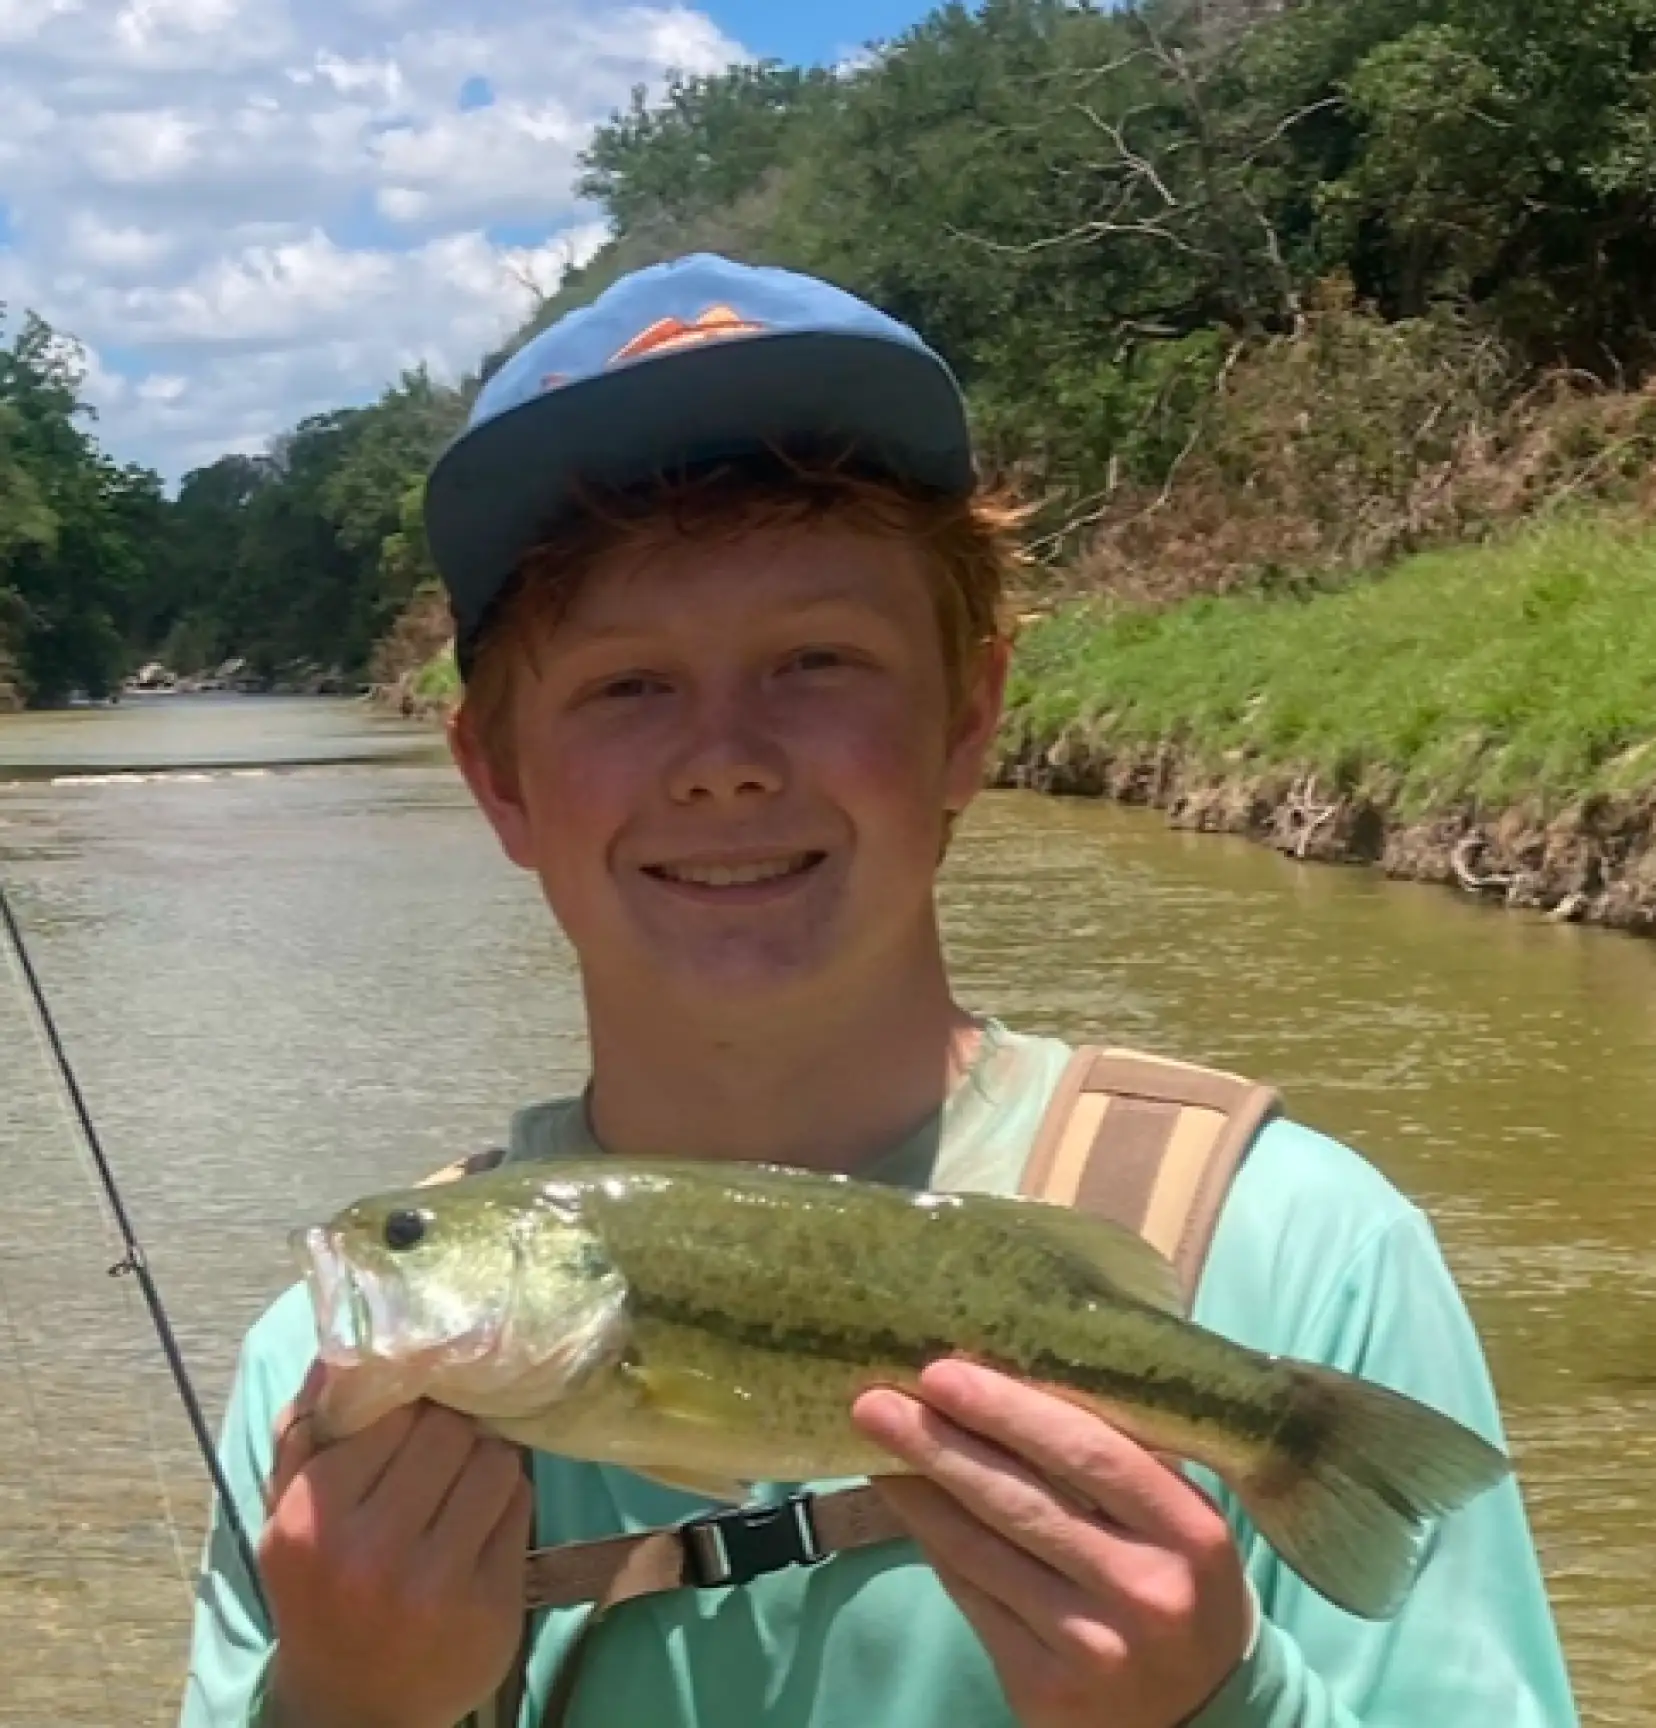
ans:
x=395 y=1563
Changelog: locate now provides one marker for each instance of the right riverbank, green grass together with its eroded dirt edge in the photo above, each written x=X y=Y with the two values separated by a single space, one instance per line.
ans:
x=1482 y=718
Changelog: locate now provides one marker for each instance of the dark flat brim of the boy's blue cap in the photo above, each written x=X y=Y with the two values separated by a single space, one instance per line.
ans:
x=499 y=488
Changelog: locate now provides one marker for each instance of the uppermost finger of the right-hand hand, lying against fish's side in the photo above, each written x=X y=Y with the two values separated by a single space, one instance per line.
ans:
x=1074 y=1447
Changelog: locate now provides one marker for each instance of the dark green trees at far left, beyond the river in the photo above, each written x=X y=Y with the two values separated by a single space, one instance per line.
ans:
x=305 y=554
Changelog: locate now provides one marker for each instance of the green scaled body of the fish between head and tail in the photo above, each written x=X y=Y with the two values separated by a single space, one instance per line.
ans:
x=787 y=1286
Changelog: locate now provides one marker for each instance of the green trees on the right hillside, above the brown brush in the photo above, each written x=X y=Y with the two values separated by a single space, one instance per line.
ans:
x=1088 y=206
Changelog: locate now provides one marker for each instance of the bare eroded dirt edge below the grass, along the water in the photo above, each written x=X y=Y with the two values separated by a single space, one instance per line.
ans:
x=1593 y=861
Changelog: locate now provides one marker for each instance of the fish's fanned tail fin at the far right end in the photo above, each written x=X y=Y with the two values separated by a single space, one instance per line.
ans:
x=1351 y=1506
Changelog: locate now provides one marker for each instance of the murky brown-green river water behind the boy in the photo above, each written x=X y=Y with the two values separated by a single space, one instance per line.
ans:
x=291 y=967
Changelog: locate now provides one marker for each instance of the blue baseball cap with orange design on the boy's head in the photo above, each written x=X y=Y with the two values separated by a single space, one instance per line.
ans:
x=682 y=364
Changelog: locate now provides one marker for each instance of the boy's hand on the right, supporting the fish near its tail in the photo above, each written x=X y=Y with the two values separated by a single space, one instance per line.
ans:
x=1118 y=1594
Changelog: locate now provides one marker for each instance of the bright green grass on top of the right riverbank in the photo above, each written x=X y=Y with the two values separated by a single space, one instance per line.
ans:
x=1508 y=673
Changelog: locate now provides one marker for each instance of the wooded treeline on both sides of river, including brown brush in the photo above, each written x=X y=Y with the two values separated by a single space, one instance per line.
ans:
x=1199 y=265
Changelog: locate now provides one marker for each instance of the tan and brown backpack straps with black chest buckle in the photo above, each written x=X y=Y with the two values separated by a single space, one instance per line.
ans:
x=1142 y=1140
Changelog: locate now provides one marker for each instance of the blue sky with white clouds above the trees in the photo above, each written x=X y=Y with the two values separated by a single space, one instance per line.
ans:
x=255 y=210
